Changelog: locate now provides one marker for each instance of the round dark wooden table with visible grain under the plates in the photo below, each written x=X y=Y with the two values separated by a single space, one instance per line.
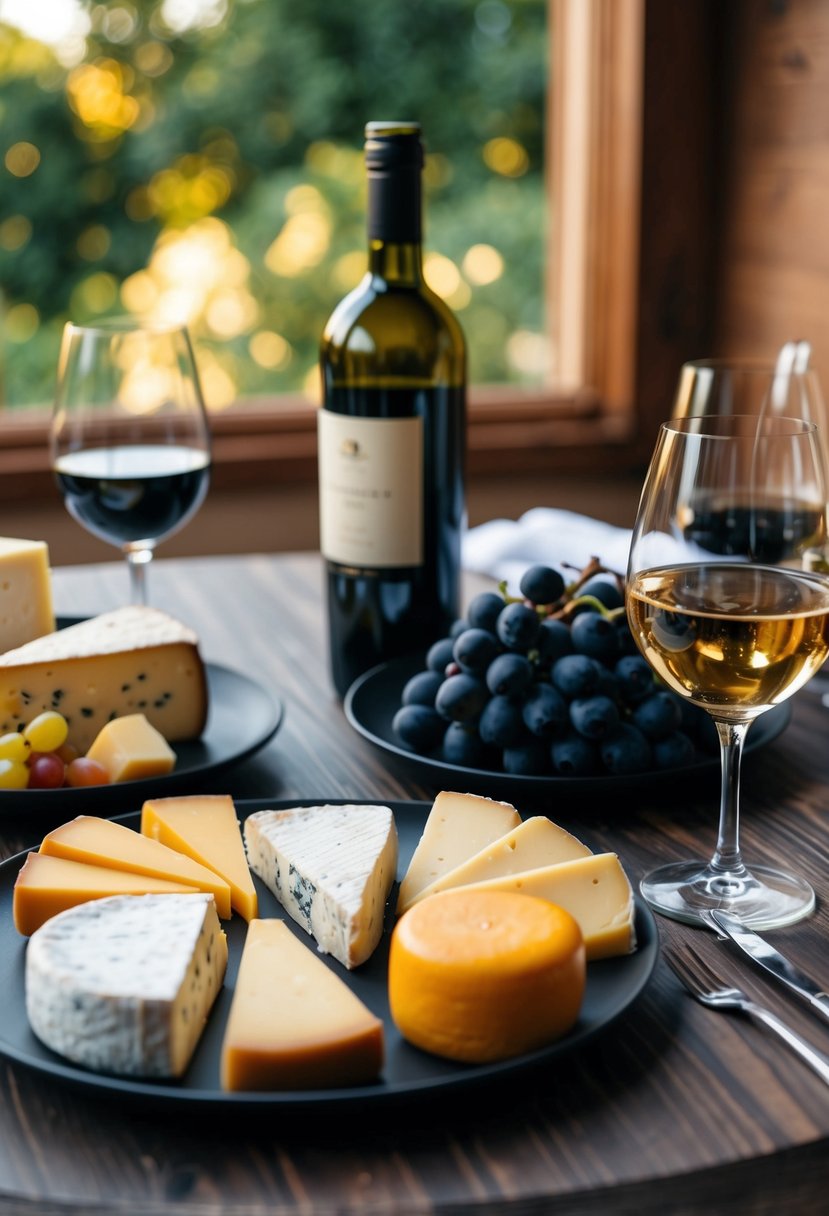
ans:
x=675 y=1110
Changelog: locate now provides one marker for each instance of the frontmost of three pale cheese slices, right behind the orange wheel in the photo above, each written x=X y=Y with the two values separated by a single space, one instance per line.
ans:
x=595 y=891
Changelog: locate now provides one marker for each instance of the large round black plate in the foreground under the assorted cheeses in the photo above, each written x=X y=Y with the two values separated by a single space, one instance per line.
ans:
x=613 y=984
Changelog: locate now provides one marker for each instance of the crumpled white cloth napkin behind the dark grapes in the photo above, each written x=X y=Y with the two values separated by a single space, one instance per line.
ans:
x=545 y=536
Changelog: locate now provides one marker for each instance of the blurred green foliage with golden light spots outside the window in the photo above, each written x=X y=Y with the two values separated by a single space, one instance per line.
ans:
x=213 y=173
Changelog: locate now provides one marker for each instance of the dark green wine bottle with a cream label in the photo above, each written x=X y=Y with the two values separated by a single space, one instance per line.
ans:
x=392 y=435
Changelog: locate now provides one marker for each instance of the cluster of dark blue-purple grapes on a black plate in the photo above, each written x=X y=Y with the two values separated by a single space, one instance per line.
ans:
x=550 y=684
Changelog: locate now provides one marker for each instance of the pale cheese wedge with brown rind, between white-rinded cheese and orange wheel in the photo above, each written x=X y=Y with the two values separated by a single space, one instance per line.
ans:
x=294 y=1023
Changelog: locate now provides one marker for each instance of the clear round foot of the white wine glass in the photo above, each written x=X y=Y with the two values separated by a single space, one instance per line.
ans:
x=763 y=898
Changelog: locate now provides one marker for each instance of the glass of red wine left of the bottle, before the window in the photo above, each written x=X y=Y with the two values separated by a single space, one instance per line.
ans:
x=131 y=441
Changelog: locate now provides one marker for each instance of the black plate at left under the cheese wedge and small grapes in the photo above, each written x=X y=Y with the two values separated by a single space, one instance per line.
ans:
x=243 y=718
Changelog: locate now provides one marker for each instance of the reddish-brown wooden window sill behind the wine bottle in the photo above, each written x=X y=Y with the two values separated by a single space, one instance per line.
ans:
x=274 y=442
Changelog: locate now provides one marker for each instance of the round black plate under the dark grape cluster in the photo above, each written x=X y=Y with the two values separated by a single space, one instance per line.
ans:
x=374 y=700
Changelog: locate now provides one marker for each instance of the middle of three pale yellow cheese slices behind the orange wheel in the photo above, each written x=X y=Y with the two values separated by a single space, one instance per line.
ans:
x=537 y=842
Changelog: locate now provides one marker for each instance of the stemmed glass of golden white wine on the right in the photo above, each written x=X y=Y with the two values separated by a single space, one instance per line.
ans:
x=724 y=611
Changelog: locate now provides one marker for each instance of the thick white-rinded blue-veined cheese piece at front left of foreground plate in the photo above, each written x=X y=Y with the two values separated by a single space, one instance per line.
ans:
x=126 y=984
